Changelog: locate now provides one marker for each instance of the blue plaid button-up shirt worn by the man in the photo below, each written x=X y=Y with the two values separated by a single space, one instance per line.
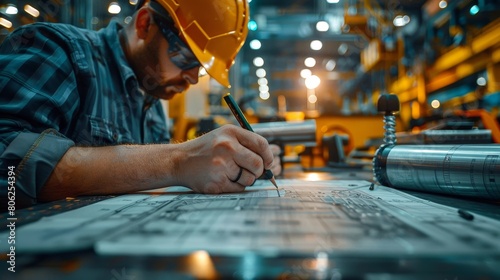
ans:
x=62 y=86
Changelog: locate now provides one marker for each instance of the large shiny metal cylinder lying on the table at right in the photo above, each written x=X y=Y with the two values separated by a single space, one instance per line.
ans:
x=464 y=170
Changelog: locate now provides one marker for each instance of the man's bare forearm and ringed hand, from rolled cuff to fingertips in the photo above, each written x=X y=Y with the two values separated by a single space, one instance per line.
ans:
x=205 y=165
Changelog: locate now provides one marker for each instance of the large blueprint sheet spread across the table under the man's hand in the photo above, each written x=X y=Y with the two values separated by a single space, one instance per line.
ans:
x=334 y=217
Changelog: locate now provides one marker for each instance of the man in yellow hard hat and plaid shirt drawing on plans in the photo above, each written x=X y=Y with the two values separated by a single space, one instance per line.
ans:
x=77 y=106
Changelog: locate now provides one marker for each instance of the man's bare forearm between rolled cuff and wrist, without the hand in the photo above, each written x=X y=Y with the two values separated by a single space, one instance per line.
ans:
x=111 y=170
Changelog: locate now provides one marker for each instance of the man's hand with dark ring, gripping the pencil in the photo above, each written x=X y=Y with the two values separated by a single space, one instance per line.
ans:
x=212 y=162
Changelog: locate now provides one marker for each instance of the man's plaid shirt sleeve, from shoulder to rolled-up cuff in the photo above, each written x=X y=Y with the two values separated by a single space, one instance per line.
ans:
x=38 y=100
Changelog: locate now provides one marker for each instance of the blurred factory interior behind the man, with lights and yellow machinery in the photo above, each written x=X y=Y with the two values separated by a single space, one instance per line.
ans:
x=330 y=60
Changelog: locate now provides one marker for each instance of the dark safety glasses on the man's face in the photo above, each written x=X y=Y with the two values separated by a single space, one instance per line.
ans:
x=180 y=54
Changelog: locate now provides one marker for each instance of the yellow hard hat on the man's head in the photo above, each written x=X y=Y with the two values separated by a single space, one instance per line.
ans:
x=215 y=30
